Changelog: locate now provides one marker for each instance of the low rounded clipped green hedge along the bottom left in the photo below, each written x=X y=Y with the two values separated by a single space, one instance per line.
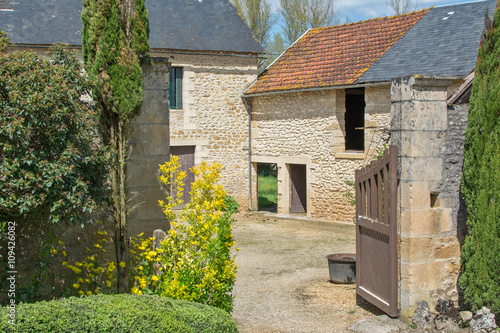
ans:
x=117 y=313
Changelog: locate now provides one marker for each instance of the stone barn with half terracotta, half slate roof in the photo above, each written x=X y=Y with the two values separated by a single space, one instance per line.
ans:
x=322 y=109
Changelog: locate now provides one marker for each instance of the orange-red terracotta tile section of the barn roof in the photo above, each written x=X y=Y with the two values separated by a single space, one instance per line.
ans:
x=336 y=55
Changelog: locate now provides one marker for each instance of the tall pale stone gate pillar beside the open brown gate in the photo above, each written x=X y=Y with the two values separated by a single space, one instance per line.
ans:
x=429 y=252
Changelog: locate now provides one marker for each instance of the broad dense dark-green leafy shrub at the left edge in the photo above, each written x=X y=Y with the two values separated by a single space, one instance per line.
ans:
x=52 y=168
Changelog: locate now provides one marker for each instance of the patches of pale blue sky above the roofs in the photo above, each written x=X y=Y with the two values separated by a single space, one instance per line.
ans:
x=359 y=10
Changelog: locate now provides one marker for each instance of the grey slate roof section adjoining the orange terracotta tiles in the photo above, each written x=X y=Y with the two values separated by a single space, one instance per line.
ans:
x=443 y=42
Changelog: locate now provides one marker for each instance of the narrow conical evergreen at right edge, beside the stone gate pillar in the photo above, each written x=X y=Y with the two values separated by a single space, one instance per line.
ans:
x=480 y=279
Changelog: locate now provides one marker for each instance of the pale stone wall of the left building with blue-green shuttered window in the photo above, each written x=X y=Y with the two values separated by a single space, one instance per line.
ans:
x=213 y=117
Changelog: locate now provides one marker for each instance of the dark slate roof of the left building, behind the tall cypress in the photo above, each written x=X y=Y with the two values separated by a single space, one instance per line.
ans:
x=192 y=25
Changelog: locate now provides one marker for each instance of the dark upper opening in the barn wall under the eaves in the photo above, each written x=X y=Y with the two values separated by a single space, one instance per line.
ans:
x=355 y=119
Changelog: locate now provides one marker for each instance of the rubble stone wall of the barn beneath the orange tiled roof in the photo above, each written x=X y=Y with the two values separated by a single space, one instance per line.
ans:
x=309 y=128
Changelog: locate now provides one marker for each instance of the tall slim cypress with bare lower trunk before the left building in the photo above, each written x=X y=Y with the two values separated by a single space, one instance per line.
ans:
x=115 y=41
